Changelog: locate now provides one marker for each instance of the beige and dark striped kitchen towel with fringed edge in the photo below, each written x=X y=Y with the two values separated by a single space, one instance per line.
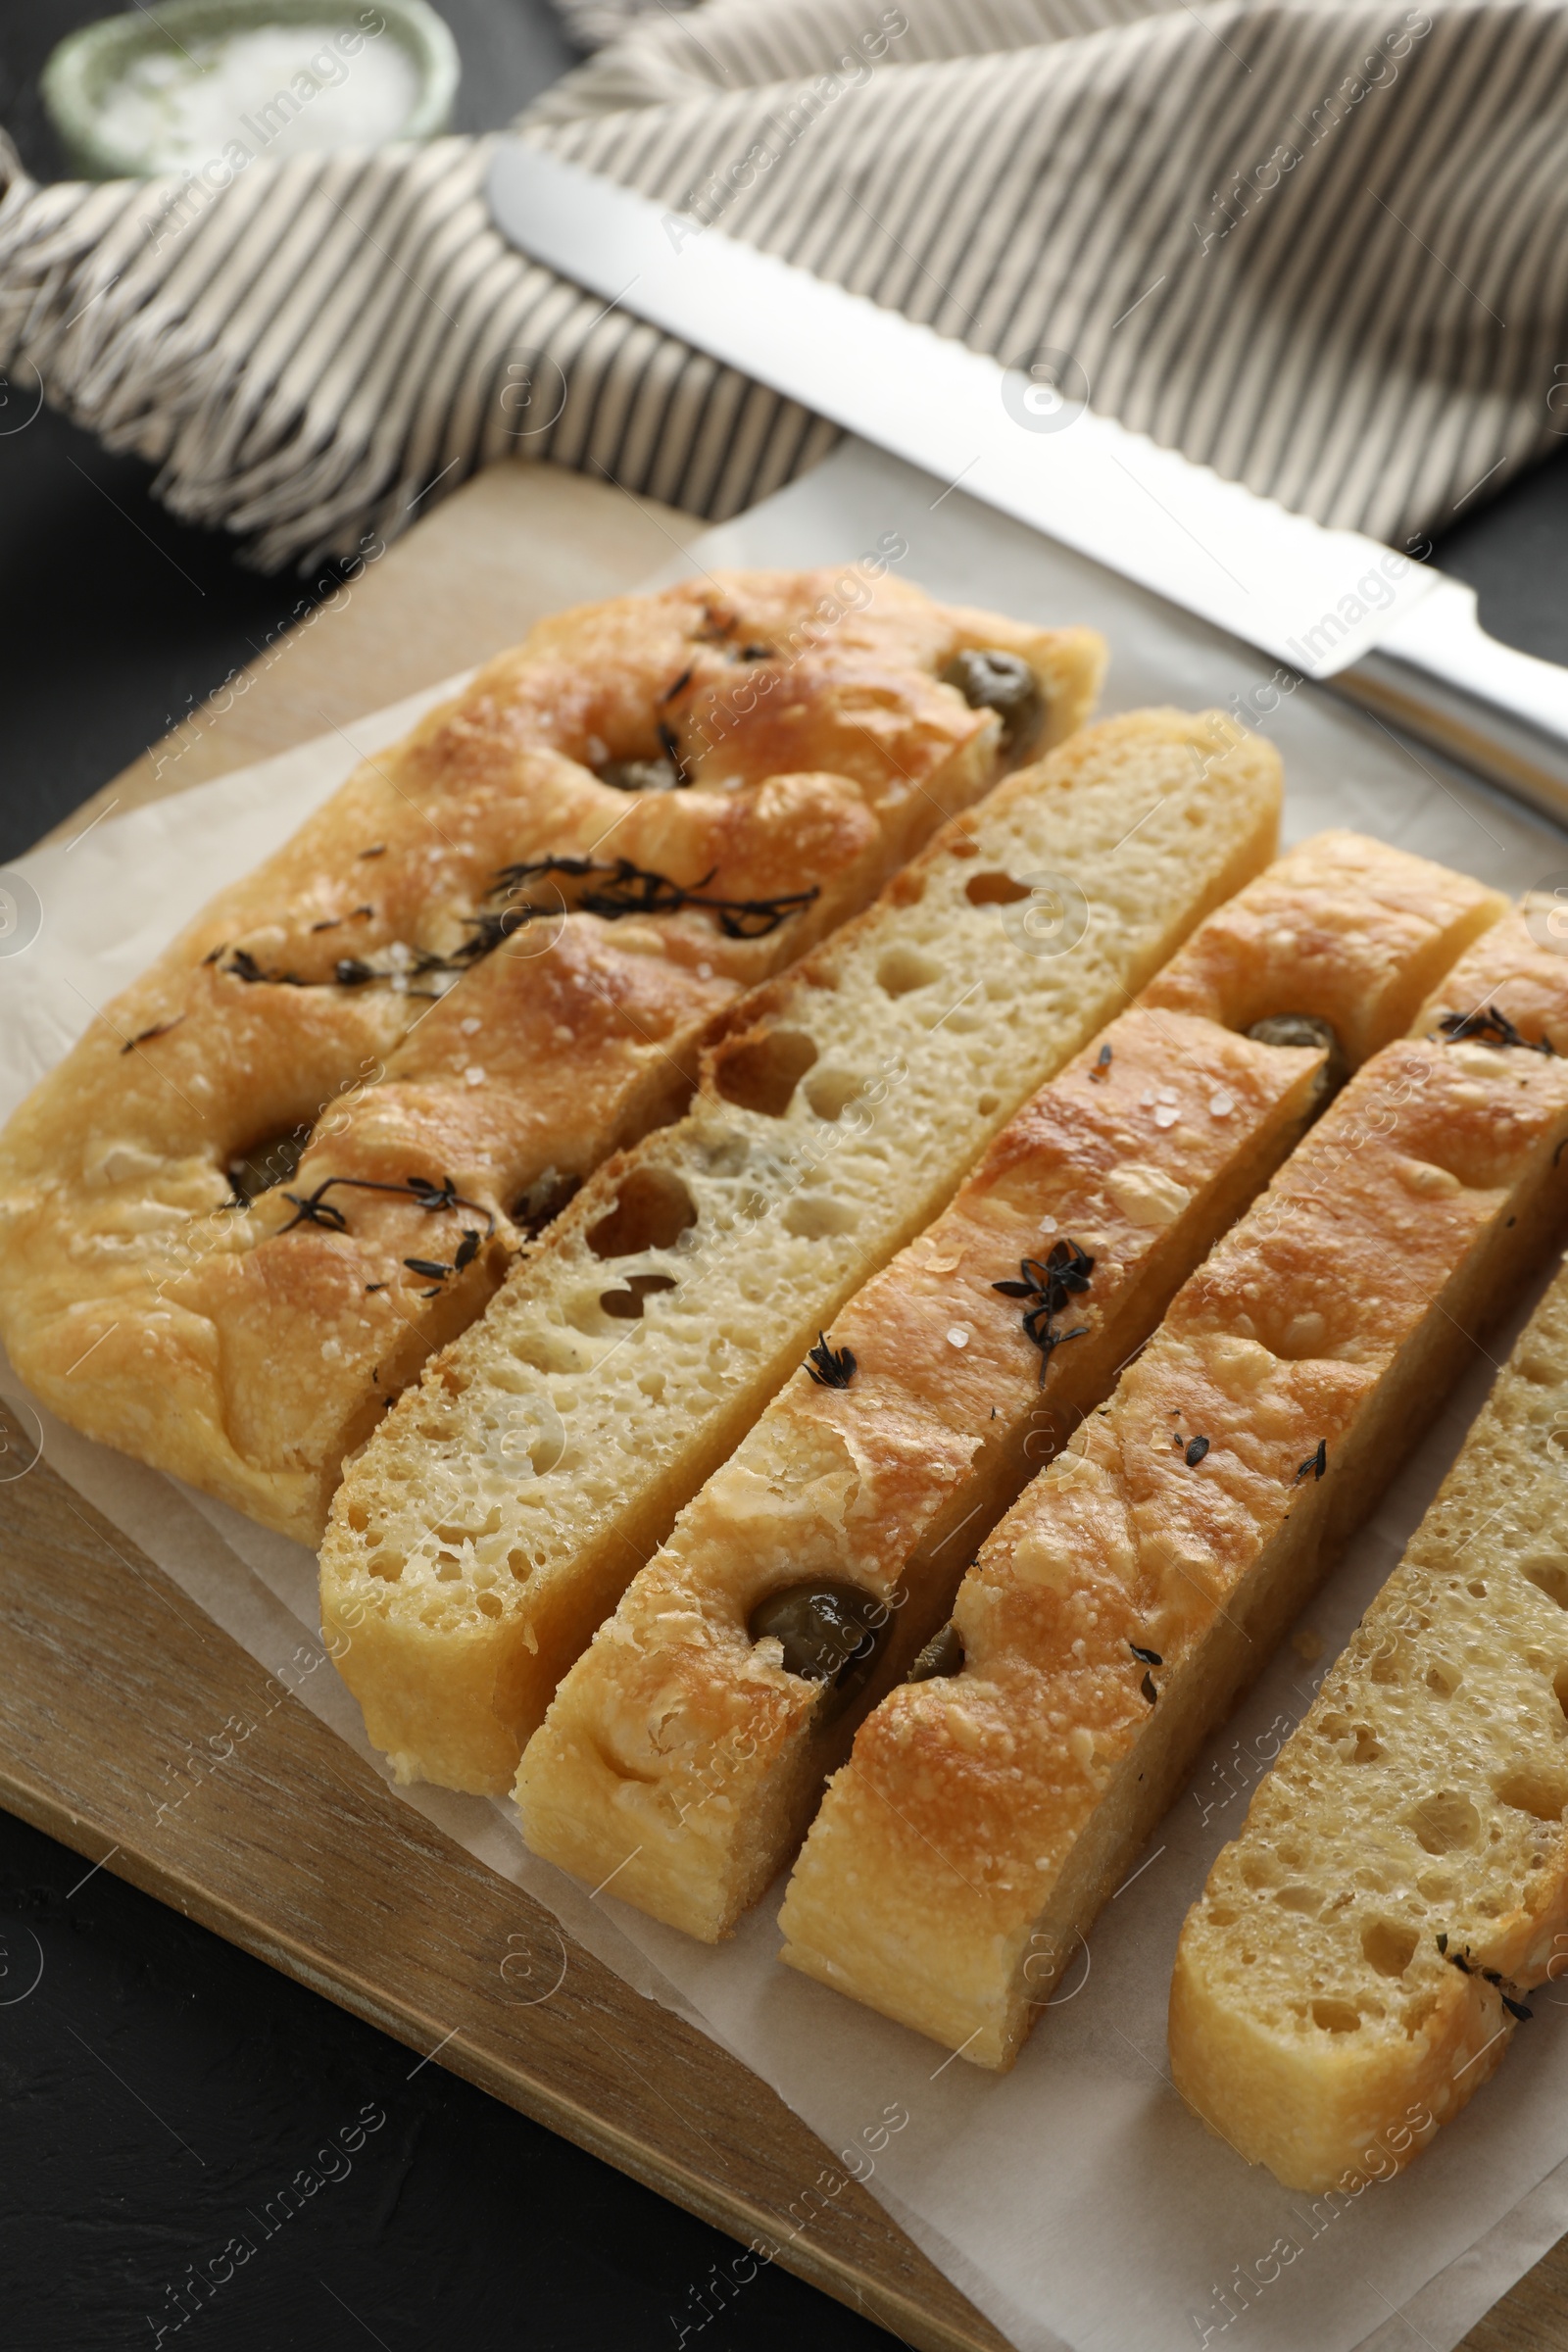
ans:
x=1313 y=243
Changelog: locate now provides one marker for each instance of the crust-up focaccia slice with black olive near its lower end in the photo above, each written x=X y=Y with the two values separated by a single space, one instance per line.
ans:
x=688 y=1746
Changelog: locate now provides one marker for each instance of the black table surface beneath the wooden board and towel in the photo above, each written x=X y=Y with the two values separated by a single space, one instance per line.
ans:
x=161 y=2085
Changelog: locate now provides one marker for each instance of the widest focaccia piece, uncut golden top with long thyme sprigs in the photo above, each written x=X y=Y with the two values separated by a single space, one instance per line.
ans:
x=297 y=1156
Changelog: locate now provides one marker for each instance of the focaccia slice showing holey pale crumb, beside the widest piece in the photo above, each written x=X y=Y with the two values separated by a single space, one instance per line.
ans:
x=507 y=1504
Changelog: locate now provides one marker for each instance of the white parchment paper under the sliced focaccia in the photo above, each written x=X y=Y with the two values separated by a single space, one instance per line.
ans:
x=1076 y=2200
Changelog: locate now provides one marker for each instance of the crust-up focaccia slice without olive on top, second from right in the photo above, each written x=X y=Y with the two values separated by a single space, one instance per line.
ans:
x=986 y=1817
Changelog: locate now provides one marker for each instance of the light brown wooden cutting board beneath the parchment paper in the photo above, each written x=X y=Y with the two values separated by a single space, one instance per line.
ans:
x=394 y=1920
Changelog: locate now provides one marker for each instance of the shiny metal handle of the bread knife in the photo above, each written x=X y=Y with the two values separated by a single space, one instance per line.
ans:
x=1480 y=702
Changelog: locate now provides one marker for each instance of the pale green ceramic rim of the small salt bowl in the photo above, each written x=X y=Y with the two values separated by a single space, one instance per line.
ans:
x=88 y=67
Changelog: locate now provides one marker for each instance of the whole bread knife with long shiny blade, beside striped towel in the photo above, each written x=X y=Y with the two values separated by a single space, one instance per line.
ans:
x=1332 y=606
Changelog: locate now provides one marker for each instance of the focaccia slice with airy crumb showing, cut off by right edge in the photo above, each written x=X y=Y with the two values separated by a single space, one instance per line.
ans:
x=1362 y=1951
